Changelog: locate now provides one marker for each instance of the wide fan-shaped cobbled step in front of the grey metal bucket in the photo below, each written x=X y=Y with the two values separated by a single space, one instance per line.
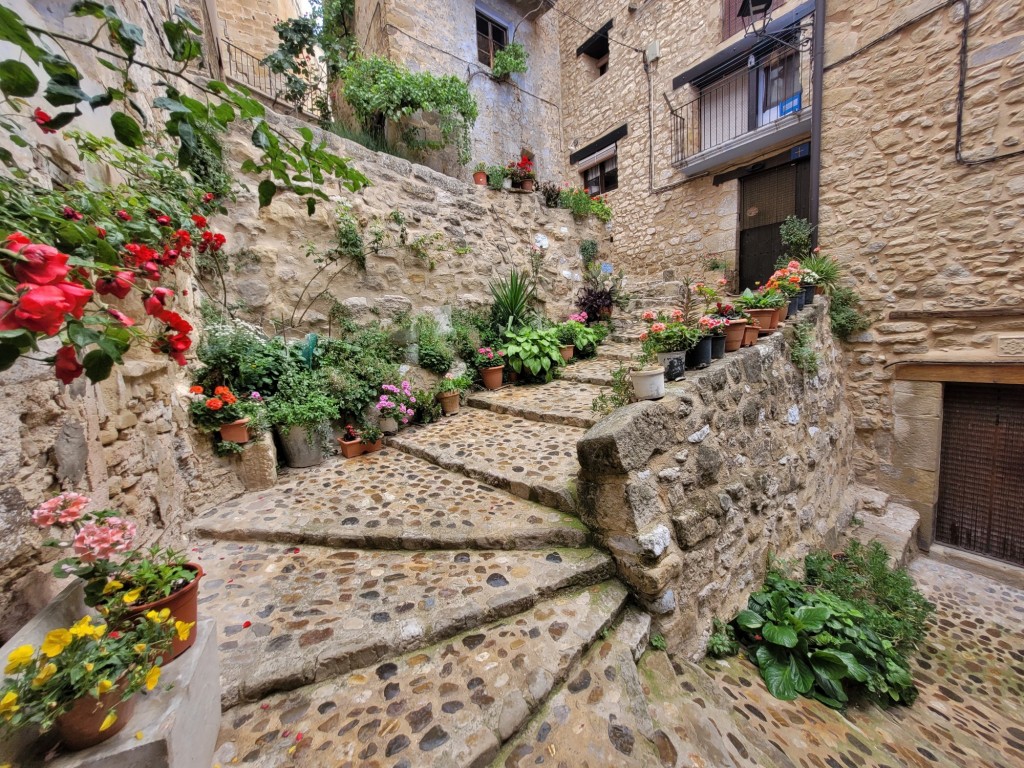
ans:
x=390 y=500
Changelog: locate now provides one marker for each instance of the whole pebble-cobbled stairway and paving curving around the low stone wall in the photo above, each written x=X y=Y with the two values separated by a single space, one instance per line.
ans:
x=440 y=605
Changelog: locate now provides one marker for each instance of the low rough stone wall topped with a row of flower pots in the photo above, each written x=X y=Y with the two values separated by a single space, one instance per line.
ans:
x=693 y=494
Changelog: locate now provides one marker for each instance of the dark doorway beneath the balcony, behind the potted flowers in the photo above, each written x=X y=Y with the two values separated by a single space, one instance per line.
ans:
x=766 y=199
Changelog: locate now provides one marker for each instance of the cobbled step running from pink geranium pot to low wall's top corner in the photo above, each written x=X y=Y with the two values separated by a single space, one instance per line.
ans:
x=532 y=460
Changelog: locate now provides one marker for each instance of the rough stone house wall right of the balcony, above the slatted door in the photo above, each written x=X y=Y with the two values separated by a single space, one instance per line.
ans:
x=918 y=231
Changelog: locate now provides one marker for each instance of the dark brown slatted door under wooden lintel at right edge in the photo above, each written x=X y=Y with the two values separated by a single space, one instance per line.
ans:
x=982 y=482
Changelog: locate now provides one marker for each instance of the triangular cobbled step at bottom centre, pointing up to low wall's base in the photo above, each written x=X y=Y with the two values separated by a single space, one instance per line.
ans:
x=599 y=718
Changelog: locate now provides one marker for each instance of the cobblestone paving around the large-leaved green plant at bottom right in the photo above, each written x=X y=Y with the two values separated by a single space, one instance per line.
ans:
x=970 y=673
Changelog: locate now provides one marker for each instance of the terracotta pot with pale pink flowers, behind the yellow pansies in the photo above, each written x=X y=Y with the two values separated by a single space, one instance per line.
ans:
x=144 y=581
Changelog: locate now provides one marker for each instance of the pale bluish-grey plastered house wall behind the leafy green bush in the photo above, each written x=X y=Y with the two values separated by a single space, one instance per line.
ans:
x=523 y=115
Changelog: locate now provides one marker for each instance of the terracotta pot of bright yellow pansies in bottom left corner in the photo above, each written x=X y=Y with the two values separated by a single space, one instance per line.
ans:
x=82 y=679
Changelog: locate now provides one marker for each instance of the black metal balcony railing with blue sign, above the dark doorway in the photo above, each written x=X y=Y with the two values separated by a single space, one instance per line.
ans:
x=743 y=102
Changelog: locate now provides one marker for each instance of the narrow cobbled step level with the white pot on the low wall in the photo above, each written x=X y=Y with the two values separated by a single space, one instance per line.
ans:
x=559 y=403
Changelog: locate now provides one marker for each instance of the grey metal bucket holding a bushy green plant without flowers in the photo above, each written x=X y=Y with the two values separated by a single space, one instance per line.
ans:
x=302 y=413
